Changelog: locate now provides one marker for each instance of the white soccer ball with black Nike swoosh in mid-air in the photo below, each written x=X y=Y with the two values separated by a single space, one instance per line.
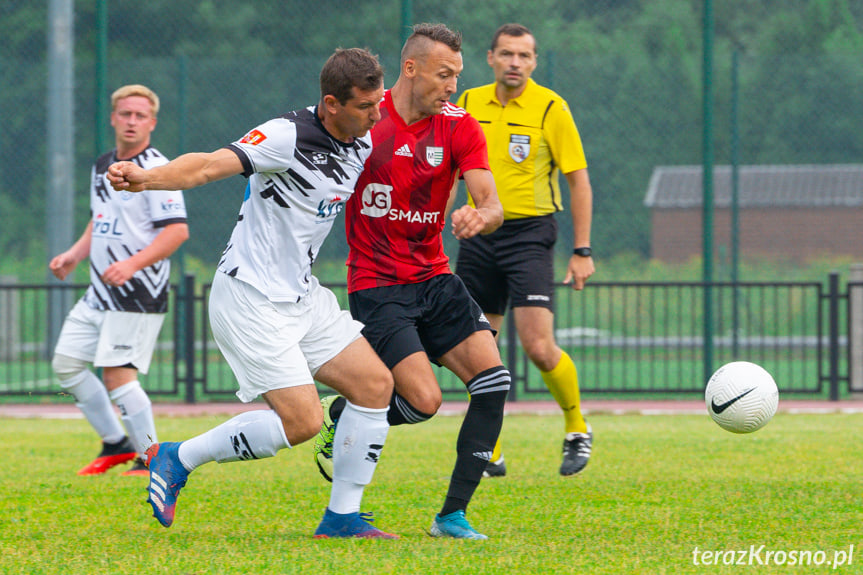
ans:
x=741 y=397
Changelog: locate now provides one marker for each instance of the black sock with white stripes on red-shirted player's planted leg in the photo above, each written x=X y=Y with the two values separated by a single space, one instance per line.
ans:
x=479 y=432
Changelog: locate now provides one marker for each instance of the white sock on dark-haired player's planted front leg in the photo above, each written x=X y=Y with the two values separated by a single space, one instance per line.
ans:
x=357 y=445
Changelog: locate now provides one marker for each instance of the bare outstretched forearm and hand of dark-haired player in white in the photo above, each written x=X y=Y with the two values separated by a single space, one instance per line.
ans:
x=184 y=172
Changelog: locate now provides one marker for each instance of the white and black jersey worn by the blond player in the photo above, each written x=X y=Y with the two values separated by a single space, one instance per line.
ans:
x=124 y=223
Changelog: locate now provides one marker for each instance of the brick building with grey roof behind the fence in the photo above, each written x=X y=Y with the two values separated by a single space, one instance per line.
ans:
x=795 y=212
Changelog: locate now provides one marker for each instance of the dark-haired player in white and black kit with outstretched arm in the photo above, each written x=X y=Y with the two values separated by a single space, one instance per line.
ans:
x=279 y=329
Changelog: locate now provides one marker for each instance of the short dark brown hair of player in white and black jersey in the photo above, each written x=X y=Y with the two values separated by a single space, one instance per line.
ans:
x=348 y=68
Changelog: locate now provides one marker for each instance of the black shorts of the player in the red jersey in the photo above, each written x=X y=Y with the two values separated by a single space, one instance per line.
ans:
x=432 y=316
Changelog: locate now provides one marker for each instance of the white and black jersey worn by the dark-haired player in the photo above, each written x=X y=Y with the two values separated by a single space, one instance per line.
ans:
x=299 y=180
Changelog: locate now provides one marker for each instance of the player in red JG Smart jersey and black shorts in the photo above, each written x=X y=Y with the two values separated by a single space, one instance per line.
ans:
x=399 y=280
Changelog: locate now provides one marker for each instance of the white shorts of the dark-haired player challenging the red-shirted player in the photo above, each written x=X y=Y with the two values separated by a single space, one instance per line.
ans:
x=272 y=345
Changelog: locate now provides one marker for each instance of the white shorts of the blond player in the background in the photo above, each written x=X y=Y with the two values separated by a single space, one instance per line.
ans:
x=109 y=338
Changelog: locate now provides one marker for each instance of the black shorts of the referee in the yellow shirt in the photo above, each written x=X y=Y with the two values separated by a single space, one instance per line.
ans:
x=514 y=264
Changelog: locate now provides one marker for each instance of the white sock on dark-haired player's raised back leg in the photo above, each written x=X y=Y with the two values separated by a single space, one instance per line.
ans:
x=250 y=435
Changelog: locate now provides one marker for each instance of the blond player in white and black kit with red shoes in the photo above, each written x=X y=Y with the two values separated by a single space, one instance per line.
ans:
x=115 y=325
